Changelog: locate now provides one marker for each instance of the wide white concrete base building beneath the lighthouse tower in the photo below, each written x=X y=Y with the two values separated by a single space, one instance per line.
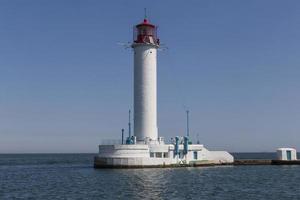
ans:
x=157 y=155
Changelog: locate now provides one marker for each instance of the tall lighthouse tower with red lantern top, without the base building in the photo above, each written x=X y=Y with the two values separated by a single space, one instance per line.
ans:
x=145 y=45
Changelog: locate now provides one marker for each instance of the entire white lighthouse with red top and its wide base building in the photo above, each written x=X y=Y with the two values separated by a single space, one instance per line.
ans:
x=145 y=148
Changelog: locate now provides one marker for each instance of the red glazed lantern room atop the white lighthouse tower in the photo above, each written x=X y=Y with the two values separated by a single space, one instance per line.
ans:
x=145 y=33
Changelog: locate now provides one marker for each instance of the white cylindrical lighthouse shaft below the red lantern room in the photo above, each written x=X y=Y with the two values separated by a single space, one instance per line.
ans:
x=145 y=91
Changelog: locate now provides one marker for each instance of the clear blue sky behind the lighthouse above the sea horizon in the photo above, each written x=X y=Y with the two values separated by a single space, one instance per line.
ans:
x=65 y=83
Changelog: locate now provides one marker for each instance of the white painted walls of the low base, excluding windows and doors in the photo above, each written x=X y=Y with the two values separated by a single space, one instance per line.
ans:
x=139 y=155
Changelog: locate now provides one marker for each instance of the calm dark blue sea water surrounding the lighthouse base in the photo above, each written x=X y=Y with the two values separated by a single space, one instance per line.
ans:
x=72 y=176
